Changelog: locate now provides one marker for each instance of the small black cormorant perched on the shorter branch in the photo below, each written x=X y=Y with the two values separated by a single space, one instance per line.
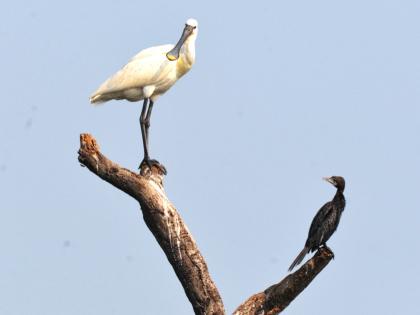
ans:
x=325 y=222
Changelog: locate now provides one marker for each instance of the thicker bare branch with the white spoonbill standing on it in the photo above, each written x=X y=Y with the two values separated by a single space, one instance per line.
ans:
x=163 y=221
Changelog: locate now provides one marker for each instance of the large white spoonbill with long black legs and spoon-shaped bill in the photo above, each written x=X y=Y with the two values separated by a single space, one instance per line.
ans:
x=148 y=75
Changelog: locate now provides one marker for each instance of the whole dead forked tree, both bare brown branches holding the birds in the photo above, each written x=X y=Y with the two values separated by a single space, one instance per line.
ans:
x=182 y=252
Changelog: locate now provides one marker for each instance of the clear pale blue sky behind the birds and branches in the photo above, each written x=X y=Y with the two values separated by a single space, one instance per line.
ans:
x=282 y=93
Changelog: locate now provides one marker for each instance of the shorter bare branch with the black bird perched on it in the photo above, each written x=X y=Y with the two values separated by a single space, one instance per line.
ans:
x=277 y=297
